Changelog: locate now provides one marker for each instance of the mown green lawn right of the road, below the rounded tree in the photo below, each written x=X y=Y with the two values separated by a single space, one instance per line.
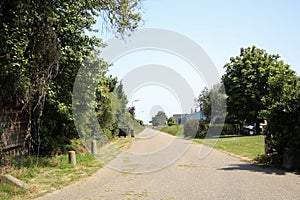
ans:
x=249 y=147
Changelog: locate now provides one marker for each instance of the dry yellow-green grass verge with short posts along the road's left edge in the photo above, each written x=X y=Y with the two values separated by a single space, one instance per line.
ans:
x=47 y=174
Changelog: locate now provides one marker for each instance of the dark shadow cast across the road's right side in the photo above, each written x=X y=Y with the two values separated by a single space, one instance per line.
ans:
x=254 y=168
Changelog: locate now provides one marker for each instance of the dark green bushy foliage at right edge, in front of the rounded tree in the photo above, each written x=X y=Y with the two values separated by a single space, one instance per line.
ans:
x=283 y=112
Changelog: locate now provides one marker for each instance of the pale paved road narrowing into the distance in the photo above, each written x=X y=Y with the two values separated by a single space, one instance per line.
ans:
x=138 y=174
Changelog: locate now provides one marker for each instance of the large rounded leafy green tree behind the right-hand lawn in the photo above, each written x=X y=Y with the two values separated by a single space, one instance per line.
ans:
x=246 y=83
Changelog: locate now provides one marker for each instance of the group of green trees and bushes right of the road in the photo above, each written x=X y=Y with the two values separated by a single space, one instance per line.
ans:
x=259 y=86
